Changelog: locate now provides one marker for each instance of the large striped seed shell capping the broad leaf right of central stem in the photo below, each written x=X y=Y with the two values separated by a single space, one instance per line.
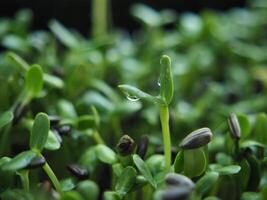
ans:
x=196 y=139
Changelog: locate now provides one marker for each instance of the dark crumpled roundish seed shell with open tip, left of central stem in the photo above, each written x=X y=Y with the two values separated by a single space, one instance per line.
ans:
x=125 y=145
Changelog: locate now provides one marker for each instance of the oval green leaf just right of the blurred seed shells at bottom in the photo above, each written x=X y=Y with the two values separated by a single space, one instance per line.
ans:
x=206 y=182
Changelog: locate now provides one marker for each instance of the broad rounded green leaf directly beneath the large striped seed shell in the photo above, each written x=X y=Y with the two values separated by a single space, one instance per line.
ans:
x=195 y=162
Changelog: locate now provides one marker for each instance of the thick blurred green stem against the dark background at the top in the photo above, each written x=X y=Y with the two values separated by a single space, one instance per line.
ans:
x=99 y=17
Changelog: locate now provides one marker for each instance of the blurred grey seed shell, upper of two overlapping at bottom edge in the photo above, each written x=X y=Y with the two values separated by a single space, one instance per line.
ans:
x=173 y=179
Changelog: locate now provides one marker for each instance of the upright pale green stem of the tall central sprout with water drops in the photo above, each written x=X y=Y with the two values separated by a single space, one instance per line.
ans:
x=164 y=118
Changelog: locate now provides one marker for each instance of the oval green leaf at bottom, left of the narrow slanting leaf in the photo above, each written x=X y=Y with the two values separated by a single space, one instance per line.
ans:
x=126 y=181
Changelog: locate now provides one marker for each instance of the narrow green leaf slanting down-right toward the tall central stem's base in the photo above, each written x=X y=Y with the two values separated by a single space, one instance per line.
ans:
x=144 y=170
